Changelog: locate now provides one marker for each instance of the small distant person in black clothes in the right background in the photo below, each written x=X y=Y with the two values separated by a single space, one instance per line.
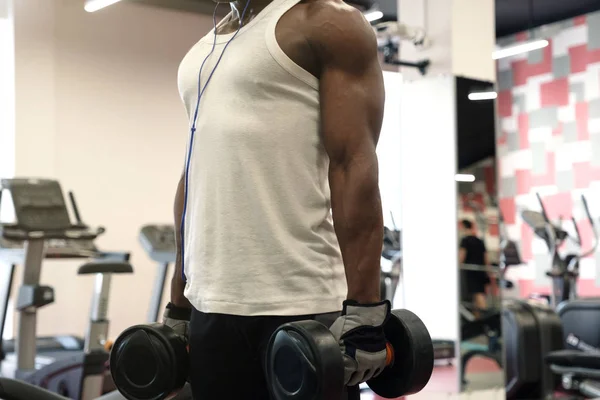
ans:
x=473 y=252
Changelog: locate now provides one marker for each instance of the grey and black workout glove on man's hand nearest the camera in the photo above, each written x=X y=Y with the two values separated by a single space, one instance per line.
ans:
x=359 y=332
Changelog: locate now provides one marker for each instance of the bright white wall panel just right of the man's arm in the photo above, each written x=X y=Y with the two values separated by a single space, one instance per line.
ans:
x=429 y=203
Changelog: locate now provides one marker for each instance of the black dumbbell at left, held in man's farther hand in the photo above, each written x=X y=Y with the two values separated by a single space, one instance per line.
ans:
x=149 y=362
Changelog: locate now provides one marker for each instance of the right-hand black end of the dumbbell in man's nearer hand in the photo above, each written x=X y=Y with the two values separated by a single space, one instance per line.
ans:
x=413 y=357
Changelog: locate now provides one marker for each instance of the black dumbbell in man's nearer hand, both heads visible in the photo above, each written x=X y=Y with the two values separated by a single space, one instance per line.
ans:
x=305 y=361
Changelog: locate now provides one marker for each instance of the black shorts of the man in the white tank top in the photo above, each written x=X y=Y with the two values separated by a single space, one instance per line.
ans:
x=227 y=354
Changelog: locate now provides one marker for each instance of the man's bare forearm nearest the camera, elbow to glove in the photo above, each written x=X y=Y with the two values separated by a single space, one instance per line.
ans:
x=358 y=221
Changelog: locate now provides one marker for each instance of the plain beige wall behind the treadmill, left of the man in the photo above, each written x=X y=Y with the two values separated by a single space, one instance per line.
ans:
x=97 y=107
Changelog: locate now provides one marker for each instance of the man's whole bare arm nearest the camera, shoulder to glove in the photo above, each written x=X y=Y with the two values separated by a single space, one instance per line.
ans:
x=352 y=99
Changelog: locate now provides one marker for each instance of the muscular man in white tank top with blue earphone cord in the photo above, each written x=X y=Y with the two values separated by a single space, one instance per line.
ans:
x=279 y=198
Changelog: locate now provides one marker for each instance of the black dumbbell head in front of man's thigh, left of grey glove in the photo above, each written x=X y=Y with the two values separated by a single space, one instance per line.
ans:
x=304 y=361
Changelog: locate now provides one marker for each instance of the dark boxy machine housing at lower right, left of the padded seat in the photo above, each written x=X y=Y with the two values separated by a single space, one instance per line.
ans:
x=531 y=330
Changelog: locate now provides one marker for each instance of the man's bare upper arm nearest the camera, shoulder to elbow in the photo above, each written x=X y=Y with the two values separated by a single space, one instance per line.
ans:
x=351 y=86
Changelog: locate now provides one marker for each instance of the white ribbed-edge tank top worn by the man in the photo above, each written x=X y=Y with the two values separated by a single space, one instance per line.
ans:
x=259 y=237
